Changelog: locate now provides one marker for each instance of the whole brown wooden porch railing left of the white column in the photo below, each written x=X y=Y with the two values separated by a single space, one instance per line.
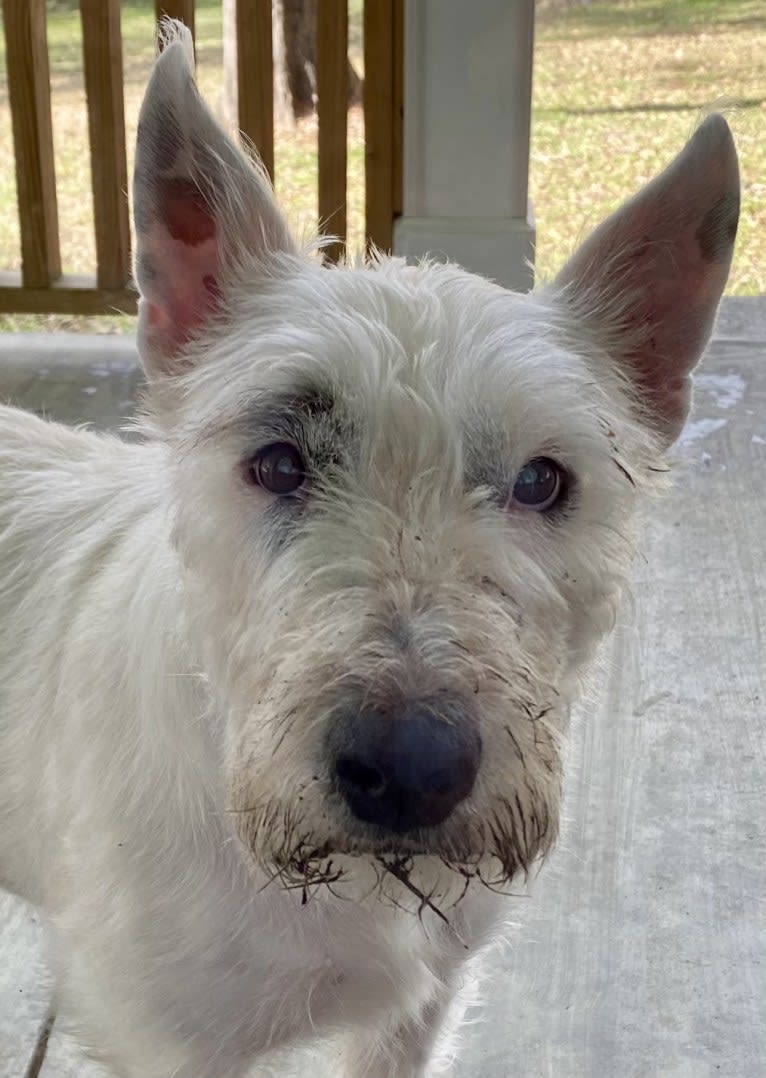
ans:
x=41 y=287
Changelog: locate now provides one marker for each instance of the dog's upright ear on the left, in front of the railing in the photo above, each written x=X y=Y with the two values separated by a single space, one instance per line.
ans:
x=203 y=211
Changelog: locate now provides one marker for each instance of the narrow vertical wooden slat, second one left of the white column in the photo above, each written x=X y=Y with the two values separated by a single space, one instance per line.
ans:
x=332 y=91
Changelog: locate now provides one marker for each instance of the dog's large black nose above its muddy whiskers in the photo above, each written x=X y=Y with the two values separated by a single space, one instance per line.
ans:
x=406 y=771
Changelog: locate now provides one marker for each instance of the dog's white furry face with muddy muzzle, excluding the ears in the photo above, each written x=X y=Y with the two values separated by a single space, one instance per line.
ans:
x=403 y=509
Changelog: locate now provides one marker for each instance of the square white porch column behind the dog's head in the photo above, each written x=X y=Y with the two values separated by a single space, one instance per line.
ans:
x=468 y=80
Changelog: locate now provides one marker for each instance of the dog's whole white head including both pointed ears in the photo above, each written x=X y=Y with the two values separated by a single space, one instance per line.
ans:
x=403 y=495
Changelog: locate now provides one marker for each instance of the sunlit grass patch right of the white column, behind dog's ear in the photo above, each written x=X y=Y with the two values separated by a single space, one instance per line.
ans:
x=619 y=88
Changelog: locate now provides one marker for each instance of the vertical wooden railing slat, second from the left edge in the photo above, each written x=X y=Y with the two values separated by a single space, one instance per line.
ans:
x=104 y=86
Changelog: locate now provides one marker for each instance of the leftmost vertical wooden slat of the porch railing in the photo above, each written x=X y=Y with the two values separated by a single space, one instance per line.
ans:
x=30 y=92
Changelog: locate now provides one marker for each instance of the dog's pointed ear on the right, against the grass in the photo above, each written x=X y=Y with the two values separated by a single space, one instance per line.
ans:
x=648 y=282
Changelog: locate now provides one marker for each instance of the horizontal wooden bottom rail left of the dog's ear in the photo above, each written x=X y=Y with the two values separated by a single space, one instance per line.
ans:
x=68 y=296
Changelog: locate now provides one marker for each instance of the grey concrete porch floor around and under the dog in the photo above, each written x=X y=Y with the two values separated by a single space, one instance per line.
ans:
x=643 y=949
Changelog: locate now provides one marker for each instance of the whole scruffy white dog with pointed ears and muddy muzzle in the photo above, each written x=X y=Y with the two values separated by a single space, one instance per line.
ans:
x=285 y=688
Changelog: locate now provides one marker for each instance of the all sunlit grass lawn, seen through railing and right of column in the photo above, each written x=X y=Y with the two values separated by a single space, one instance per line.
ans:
x=619 y=88
